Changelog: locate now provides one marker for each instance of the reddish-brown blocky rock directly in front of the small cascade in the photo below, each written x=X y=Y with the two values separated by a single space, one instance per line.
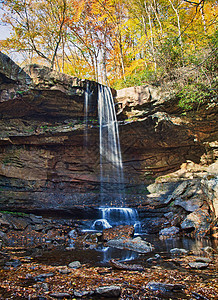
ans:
x=118 y=232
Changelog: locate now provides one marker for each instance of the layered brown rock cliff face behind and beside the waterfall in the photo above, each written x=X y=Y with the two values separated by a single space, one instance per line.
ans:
x=45 y=164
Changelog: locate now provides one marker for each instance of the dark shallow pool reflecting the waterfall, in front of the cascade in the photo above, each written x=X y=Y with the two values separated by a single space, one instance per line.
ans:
x=101 y=255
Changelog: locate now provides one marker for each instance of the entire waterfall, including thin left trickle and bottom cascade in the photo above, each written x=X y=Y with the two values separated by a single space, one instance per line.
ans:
x=112 y=191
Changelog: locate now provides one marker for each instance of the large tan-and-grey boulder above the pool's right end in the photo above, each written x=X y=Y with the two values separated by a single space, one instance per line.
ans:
x=198 y=221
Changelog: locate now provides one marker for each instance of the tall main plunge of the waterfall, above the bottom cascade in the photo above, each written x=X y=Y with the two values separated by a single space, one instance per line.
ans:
x=111 y=166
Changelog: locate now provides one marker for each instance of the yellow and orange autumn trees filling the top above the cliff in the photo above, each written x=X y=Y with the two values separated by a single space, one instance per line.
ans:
x=112 y=41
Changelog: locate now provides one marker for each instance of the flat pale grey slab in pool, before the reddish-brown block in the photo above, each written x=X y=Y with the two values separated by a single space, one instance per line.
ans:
x=136 y=244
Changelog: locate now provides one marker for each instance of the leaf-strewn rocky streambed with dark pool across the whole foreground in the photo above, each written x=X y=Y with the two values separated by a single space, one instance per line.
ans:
x=50 y=258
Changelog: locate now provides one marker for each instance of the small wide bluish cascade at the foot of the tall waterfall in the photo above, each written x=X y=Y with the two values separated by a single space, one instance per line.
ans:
x=114 y=216
